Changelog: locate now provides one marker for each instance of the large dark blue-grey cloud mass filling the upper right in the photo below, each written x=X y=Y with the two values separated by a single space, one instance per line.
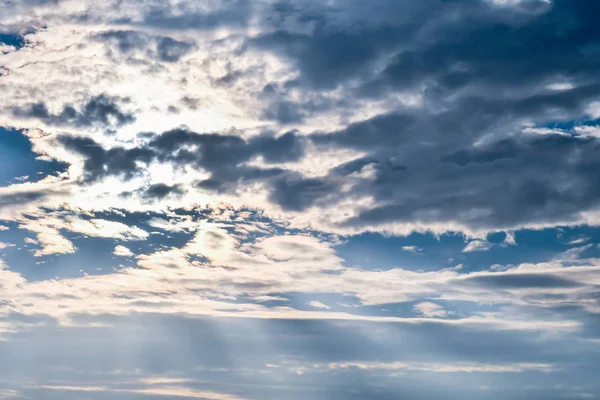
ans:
x=483 y=73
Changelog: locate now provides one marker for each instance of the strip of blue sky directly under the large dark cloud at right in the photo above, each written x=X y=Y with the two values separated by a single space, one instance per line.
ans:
x=428 y=252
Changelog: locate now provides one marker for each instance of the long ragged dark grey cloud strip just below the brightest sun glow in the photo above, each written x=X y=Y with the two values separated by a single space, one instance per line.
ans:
x=222 y=155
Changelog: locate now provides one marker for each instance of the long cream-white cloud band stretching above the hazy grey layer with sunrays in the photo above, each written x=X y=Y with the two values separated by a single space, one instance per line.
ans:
x=174 y=281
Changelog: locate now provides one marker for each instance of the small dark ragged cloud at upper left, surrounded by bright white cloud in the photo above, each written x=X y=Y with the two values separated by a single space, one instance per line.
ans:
x=100 y=110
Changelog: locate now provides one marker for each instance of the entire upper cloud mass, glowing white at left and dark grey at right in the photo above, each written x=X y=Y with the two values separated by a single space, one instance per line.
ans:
x=461 y=157
